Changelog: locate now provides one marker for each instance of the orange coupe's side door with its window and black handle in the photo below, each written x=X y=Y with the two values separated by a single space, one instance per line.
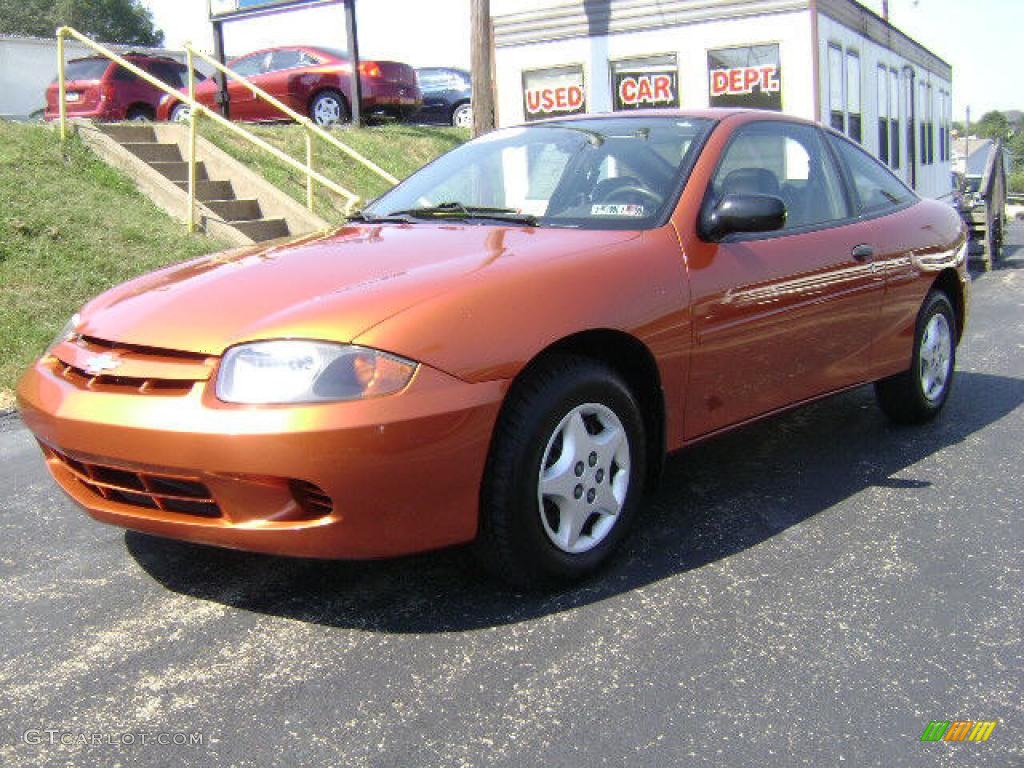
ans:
x=786 y=316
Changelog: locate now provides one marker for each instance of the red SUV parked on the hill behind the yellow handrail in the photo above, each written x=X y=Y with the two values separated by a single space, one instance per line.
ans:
x=101 y=90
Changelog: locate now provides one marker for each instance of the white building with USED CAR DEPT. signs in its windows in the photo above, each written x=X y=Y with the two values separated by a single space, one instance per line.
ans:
x=831 y=61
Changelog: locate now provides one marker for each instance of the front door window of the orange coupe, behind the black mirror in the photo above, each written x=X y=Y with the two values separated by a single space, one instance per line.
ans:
x=788 y=161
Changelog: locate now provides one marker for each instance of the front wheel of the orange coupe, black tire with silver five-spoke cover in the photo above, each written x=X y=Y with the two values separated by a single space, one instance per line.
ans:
x=517 y=540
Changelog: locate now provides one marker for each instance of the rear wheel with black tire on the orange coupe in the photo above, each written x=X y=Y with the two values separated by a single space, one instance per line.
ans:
x=906 y=398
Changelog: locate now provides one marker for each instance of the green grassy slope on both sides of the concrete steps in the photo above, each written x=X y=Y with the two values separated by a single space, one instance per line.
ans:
x=71 y=227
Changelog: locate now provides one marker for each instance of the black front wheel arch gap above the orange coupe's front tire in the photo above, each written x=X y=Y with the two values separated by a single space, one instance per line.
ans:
x=629 y=358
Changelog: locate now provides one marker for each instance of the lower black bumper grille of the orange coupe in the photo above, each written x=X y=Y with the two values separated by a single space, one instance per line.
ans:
x=149 y=491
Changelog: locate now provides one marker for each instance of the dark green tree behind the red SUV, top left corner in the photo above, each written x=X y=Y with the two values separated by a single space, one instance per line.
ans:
x=125 y=22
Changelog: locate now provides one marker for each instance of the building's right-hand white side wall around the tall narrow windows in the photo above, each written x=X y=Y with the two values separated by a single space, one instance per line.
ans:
x=933 y=179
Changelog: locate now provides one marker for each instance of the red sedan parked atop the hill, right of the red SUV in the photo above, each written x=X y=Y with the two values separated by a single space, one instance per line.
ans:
x=314 y=81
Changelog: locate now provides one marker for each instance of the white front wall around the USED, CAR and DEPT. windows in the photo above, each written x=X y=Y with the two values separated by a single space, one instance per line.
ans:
x=691 y=44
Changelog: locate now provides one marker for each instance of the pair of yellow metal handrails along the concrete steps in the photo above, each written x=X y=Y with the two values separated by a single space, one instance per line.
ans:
x=197 y=109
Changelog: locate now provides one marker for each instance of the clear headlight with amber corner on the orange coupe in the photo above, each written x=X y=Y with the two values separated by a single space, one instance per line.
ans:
x=280 y=372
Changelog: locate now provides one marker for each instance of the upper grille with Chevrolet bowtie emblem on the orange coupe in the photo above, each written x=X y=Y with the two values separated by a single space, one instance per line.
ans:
x=138 y=370
